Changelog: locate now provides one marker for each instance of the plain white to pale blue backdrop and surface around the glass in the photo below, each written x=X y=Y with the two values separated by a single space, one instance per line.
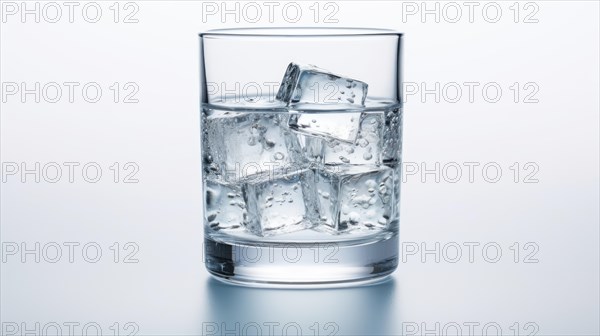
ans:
x=552 y=284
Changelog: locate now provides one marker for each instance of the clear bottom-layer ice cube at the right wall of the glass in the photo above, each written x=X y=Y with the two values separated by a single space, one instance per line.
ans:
x=355 y=197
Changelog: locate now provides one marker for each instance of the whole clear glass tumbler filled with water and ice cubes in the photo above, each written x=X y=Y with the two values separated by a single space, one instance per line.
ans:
x=301 y=154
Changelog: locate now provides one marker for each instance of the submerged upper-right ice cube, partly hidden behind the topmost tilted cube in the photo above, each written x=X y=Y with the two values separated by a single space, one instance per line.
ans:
x=365 y=150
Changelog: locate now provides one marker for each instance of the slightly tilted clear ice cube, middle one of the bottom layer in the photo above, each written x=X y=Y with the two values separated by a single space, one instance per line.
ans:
x=281 y=204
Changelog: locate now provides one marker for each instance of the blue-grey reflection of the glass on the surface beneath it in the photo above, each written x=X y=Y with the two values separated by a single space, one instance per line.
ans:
x=364 y=310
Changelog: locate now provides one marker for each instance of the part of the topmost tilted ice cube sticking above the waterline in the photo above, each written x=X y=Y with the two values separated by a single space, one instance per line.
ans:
x=308 y=84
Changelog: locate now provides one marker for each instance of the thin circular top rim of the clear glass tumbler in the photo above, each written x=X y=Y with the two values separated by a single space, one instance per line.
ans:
x=315 y=32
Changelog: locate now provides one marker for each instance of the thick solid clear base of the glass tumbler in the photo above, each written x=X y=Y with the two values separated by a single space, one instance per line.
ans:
x=300 y=265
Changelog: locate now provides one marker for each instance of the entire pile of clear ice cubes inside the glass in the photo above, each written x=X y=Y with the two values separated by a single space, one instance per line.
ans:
x=320 y=165
